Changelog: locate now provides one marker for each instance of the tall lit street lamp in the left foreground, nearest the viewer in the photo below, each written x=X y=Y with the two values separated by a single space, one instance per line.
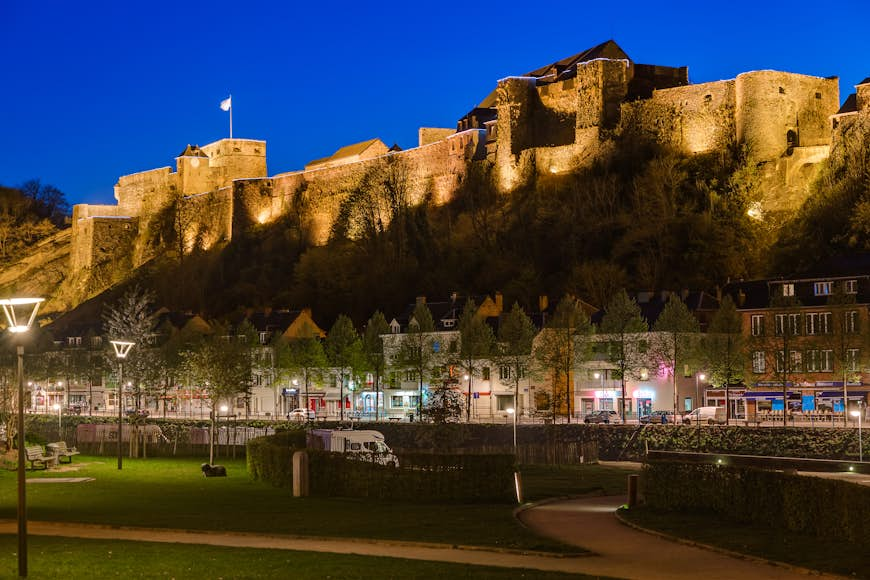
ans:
x=20 y=315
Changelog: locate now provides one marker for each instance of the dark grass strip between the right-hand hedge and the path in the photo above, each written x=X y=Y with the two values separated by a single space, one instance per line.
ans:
x=797 y=549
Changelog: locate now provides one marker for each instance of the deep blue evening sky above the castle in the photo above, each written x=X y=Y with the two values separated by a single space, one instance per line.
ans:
x=91 y=91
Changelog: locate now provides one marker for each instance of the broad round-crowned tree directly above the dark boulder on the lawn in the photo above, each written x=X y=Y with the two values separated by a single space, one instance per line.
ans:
x=222 y=367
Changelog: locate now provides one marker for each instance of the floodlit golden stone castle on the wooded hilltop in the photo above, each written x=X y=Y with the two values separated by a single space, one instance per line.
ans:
x=552 y=120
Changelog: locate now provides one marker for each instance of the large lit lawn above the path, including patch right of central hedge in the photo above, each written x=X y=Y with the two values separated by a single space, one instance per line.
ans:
x=173 y=493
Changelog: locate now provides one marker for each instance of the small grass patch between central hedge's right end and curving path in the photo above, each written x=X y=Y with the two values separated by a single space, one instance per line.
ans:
x=544 y=481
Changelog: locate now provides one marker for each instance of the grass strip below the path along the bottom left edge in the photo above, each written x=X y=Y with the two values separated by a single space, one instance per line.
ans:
x=74 y=558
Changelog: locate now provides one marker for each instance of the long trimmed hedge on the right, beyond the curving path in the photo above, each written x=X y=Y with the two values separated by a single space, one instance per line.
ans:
x=811 y=505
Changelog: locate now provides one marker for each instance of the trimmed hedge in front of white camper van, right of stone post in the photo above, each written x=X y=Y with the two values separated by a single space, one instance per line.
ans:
x=420 y=478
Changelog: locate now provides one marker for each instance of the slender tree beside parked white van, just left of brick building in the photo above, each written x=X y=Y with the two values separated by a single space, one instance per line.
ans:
x=725 y=349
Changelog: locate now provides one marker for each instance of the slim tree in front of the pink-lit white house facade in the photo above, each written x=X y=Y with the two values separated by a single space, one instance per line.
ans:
x=675 y=342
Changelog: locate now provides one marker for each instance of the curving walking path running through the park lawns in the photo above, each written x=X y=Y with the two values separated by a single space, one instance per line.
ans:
x=619 y=551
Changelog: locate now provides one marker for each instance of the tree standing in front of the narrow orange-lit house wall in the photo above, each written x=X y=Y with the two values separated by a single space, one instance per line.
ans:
x=563 y=344
